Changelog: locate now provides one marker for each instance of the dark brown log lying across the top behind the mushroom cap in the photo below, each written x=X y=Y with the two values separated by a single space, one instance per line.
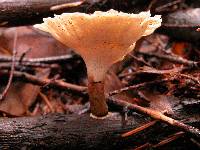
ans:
x=28 y=12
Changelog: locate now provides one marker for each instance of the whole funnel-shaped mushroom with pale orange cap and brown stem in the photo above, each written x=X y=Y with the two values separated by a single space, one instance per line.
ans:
x=101 y=38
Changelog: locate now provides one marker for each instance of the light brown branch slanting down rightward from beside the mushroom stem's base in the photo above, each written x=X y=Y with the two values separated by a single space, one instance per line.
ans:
x=159 y=116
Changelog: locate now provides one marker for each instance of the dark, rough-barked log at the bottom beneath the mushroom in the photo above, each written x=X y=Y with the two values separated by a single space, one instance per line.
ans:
x=63 y=131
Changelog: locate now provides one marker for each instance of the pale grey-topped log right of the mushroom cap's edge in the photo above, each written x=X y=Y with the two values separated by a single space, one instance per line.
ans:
x=182 y=24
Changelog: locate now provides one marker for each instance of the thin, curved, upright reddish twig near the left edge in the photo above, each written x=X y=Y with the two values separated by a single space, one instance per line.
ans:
x=4 y=93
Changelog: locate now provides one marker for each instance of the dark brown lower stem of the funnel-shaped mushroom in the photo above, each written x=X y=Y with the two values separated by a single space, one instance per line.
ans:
x=97 y=98
